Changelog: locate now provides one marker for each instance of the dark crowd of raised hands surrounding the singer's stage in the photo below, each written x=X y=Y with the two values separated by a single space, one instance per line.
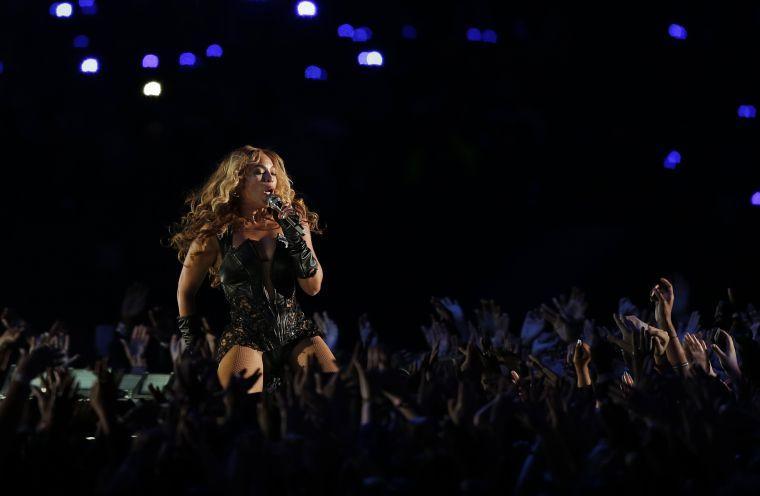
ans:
x=640 y=401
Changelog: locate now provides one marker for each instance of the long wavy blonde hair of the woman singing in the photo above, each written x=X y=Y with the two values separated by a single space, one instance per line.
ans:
x=215 y=206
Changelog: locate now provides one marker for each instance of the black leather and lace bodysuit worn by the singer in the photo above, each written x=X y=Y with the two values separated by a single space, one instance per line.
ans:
x=259 y=319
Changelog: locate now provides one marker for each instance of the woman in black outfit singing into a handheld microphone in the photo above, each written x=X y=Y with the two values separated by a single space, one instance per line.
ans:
x=247 y=245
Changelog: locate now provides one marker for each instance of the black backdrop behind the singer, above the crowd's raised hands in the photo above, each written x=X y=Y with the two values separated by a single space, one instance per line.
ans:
x=508 y=171
